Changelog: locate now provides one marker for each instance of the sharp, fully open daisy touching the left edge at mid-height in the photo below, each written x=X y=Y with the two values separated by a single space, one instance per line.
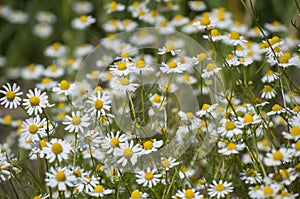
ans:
x=12 y=97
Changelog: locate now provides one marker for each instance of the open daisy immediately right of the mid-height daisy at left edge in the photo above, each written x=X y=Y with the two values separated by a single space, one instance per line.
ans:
x=36 y=101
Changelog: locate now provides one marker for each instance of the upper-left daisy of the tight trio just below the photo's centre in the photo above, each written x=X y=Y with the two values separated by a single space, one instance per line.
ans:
x=112 y=141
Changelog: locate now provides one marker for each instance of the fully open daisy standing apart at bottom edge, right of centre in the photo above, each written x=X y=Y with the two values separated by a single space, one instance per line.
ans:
x=220 y=189
